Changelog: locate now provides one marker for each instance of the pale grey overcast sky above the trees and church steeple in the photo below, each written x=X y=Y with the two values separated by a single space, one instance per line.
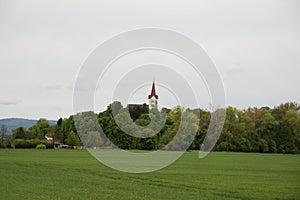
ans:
x=255 y=46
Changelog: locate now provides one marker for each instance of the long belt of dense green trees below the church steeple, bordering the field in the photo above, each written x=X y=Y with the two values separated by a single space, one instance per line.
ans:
x=273 y=130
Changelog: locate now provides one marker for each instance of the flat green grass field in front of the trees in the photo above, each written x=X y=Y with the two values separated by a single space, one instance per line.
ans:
x=75 y=174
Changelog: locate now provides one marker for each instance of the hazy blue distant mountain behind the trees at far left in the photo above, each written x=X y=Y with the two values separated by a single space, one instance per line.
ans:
x=12 y=123
